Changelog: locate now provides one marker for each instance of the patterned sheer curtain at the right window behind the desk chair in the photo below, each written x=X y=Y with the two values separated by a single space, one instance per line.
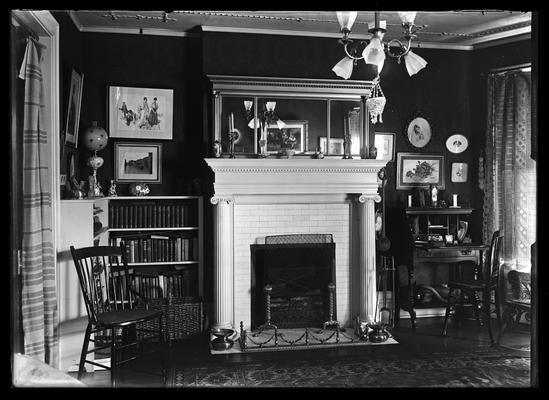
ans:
x=510 y=172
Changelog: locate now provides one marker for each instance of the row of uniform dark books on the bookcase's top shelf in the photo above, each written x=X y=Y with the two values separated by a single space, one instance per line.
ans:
x=152 y=215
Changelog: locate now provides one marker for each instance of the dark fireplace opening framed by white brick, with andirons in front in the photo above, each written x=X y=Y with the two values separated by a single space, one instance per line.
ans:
x=299 y=269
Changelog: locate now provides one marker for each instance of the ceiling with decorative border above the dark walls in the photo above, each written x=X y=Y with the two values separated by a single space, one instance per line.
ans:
x=462 y=29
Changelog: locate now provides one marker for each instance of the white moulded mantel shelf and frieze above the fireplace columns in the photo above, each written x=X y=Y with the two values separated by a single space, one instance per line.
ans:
x=249 y=176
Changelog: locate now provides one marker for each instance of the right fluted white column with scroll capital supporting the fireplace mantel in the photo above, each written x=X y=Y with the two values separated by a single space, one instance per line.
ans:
x=367 y=261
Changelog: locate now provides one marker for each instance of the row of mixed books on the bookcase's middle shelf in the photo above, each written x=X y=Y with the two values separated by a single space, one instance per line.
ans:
x=158 y=248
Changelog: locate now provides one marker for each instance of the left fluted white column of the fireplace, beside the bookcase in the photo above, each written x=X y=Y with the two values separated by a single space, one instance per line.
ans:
x=223 y=262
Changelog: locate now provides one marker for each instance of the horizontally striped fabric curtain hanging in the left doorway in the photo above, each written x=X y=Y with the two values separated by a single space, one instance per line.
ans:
x=39 y=298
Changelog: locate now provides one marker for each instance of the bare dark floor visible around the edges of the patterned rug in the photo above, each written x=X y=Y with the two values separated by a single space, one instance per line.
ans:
x=426 y=338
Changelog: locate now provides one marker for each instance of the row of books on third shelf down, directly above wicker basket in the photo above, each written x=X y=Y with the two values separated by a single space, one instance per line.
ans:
x=182 y=283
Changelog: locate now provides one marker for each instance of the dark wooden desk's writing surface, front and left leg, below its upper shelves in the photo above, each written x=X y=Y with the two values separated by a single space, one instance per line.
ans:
x=453 y=255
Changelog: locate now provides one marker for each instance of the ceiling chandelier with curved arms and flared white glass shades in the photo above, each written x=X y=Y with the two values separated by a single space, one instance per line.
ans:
x=374 y=50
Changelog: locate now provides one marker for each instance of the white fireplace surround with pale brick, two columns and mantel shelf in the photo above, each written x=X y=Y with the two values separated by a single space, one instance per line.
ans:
x=255 y=198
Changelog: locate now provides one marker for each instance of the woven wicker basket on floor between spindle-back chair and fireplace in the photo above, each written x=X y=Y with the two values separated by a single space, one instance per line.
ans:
x=183 y=317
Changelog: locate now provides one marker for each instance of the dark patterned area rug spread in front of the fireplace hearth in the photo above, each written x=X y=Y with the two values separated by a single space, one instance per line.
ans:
x=486 y=367
